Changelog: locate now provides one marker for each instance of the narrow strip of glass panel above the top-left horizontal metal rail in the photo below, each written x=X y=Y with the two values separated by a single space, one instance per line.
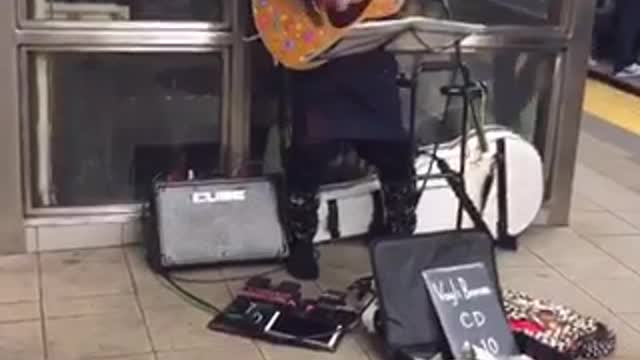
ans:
x=127 y=10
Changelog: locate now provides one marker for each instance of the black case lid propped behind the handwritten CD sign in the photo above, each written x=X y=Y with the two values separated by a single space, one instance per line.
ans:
x=410 y=325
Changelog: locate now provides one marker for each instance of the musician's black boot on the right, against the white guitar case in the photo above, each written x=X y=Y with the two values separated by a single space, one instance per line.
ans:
x=400 y=203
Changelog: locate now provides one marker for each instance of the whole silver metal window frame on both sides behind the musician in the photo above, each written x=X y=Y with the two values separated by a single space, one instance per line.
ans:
x=561 y=108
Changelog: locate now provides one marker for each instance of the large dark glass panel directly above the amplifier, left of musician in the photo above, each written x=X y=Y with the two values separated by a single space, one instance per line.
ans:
x=103 y=125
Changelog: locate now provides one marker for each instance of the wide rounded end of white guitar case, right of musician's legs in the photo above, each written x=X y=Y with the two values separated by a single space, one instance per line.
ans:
x=505 y=184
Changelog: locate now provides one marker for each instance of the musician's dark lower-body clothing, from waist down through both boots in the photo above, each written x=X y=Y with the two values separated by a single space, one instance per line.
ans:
x=355 y=99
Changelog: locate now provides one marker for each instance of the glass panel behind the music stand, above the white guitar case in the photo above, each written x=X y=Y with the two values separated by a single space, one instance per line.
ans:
x=516 y=81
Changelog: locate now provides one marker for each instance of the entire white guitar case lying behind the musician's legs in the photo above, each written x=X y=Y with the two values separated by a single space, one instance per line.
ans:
x=508 y=202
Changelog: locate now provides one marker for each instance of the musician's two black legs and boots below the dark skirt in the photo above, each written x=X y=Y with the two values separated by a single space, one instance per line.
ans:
x=307 y=166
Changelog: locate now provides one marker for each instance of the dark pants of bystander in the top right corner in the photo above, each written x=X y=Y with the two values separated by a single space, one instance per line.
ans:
x=626 y=34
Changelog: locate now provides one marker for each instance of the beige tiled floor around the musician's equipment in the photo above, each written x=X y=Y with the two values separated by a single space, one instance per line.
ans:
x=106 y=304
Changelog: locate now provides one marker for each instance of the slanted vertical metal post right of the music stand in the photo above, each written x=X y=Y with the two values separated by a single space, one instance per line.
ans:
x=565 y=117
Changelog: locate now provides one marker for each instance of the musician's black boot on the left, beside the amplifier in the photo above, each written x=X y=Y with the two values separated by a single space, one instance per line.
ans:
x=302 y=224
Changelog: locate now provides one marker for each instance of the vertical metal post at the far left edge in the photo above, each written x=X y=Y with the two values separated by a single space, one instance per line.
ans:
x=12 y=236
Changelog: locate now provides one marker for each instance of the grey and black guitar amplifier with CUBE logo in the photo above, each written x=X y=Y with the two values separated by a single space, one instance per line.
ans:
x=207 y=222
